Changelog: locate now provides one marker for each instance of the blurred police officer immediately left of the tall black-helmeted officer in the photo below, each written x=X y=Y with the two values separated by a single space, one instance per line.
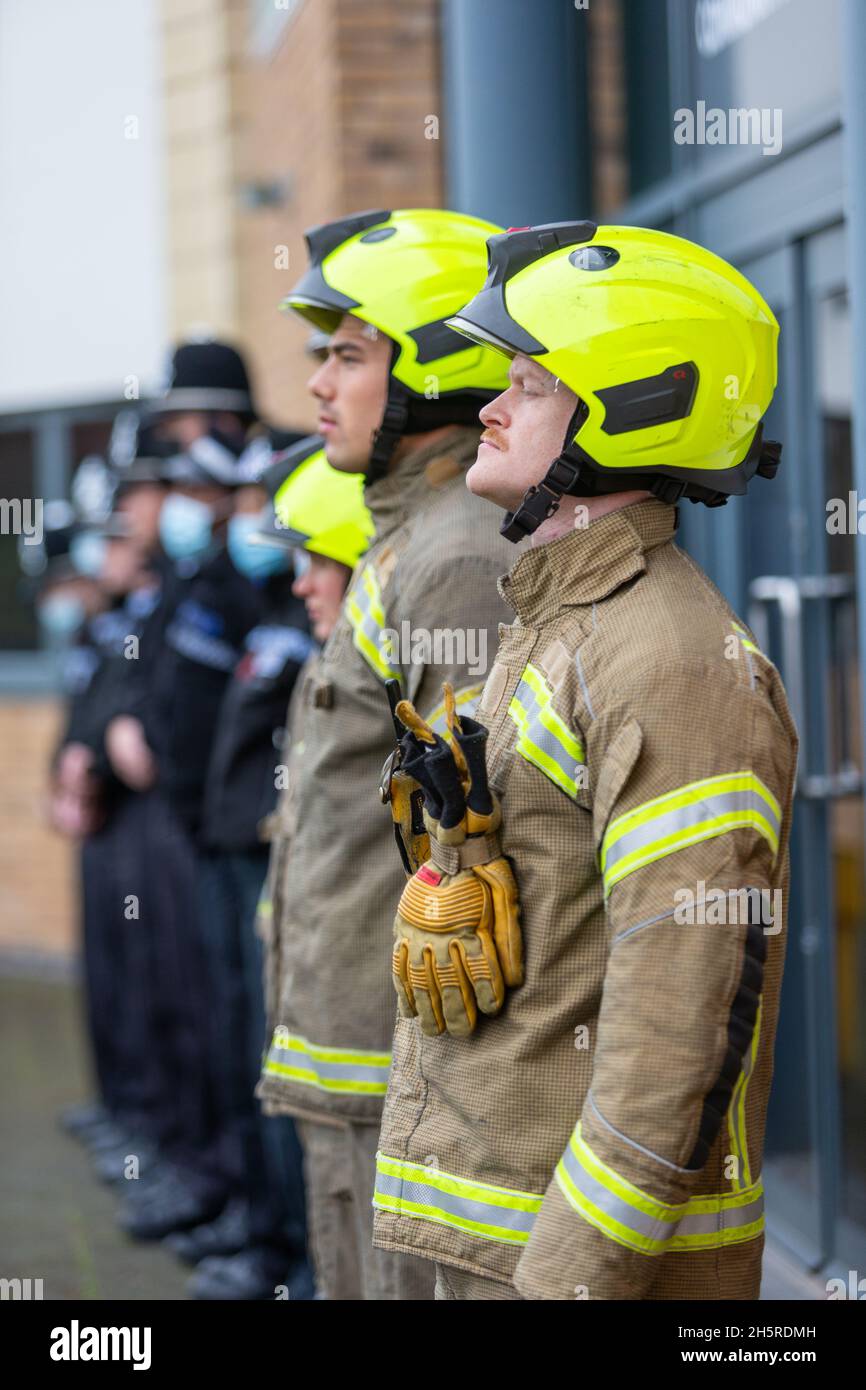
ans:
x=131 y=569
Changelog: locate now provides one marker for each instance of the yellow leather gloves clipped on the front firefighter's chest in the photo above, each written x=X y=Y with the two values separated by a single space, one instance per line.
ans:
x=458 y=942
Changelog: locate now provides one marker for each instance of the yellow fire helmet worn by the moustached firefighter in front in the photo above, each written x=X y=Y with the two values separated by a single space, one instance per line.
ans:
x=669 y=350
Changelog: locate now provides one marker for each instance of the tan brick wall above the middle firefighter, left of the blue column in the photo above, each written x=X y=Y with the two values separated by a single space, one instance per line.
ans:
x=336 y=115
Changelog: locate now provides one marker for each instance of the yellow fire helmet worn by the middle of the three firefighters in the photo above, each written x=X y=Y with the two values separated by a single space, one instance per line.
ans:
x=405 y=273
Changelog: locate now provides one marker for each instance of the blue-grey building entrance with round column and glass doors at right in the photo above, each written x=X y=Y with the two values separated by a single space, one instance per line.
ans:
x=740 y=124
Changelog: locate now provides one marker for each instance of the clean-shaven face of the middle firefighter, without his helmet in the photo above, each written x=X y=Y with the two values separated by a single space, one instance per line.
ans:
x=351 y=389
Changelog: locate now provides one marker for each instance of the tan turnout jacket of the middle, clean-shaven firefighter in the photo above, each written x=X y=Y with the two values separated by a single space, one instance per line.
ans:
x=336 y=874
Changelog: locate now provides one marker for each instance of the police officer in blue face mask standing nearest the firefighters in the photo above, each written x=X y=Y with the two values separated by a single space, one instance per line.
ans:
x=261 y=1239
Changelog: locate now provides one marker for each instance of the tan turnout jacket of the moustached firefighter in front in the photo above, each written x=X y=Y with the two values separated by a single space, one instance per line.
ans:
x=603 y=1138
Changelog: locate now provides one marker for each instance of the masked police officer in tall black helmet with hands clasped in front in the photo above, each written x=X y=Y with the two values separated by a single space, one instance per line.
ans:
x=162 y=742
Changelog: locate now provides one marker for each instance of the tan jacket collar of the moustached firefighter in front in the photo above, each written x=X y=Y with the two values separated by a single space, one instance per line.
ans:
x=587 y=565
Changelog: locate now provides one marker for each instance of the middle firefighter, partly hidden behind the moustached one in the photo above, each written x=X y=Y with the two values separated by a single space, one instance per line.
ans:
x=398 y=402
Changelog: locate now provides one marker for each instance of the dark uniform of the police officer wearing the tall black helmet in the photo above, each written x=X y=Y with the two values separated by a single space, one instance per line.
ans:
x=188 y=651
